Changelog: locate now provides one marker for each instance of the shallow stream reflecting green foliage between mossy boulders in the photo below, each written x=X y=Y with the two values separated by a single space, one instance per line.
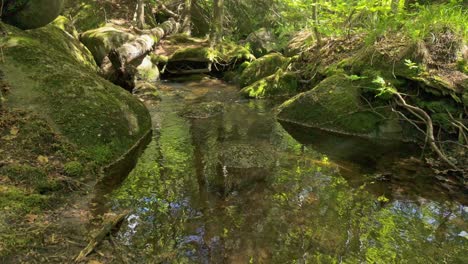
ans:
x=224 y=182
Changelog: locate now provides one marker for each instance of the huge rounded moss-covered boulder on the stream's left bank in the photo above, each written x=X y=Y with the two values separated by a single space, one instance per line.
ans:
x=51 y=74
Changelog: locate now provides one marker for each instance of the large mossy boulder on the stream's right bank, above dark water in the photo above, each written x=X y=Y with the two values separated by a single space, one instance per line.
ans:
x=336 y=104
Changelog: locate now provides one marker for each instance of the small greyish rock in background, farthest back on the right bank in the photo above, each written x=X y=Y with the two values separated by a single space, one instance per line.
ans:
x=262 y=42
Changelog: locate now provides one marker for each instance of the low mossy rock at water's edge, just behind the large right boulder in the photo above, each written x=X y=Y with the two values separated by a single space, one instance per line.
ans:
x=279 y=84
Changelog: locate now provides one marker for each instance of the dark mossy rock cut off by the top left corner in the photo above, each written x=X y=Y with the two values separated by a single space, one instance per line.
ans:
x=29 y=14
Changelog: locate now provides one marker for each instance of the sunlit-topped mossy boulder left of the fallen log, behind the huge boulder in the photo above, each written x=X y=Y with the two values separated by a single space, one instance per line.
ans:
x=101 y=41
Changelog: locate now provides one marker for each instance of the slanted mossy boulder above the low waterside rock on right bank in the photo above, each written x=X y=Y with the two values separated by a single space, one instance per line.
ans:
x=262 y=67
